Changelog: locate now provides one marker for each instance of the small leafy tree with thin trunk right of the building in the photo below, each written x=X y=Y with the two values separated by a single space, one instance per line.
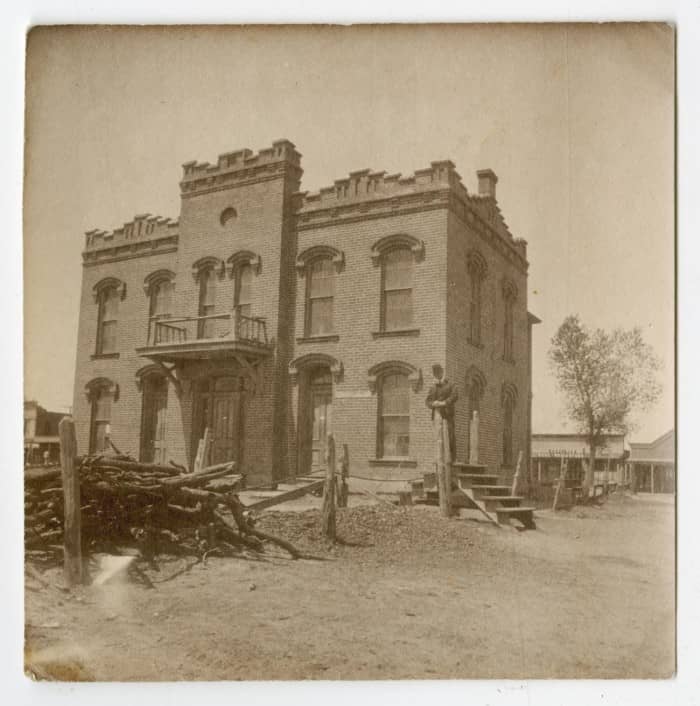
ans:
x=604 y=378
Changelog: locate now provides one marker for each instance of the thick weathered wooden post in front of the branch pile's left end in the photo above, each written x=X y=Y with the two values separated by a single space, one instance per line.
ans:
x=72 y=551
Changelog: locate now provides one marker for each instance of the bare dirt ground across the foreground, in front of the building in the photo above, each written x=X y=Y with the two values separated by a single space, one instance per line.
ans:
x=590 y=593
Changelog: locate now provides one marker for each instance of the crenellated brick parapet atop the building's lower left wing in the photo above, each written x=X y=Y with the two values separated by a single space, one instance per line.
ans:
x=144 y=235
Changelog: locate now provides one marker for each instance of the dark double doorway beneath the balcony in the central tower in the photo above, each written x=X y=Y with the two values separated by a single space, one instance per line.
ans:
x=219 y=406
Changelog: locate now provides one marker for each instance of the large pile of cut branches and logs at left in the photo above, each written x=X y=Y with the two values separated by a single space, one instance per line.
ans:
x=159 y=509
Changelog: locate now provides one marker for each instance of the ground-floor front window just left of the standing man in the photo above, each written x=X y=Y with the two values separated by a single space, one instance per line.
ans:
x=394 y=410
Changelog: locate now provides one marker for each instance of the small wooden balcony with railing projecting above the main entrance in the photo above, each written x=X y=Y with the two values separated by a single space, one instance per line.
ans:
x=205 y=337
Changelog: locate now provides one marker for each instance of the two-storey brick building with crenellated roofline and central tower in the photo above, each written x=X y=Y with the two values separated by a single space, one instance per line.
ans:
x=274 y=316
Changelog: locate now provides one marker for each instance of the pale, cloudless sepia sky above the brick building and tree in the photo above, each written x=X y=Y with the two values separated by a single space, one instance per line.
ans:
x=577 y=121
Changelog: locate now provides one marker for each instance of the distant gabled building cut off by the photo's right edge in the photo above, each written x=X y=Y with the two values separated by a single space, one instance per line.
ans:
x=651 y=466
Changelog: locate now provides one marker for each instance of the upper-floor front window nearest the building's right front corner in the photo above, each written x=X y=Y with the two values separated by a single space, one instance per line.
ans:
x=397 y=290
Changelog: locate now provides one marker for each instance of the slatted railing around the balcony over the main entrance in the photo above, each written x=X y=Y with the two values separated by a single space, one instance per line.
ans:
x=215 y=327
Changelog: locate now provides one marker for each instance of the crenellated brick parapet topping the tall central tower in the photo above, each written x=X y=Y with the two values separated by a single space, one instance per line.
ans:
x=239 y=167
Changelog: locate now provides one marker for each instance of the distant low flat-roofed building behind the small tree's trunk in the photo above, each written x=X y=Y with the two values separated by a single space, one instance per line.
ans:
x=548 y=450
